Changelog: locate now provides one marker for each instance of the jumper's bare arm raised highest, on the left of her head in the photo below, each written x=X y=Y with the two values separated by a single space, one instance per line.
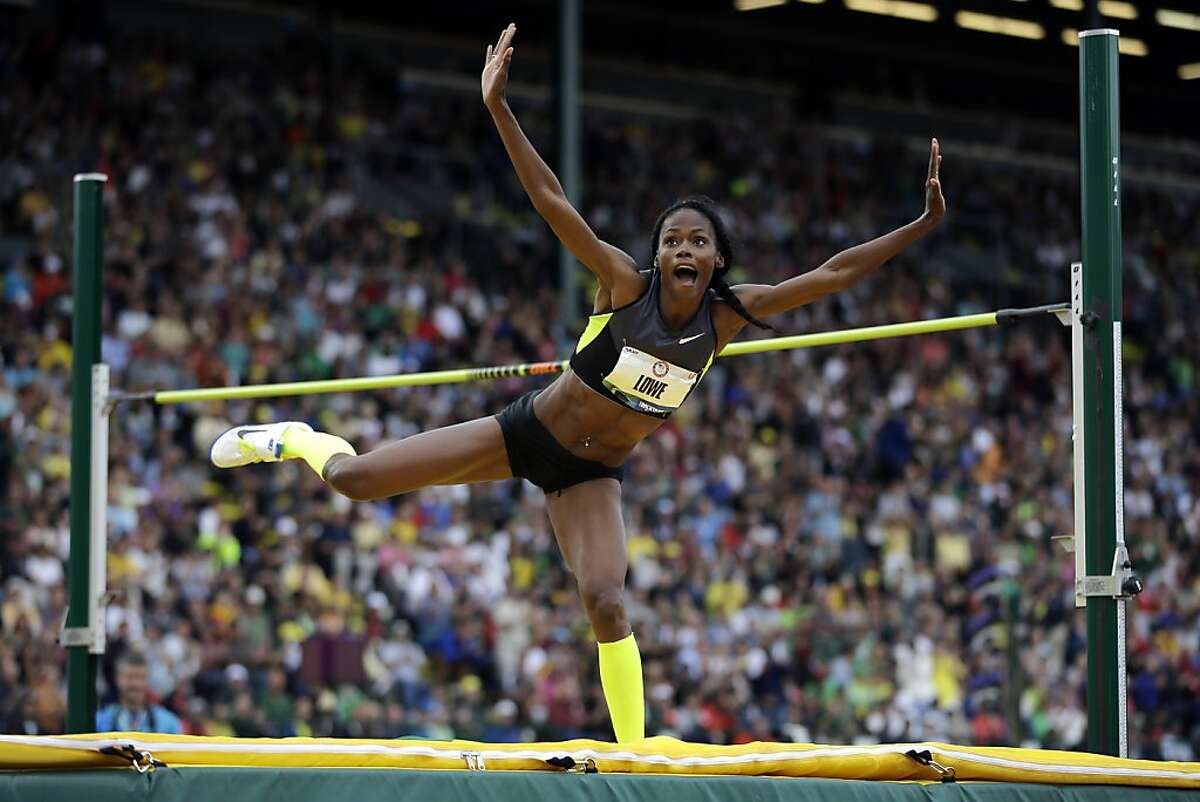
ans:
x=611 y=265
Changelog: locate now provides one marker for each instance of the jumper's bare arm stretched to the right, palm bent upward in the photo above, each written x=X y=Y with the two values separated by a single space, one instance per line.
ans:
x=855 y=264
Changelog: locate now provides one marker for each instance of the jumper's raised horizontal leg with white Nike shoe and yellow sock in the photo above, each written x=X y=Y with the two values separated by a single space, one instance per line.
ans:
x=458 y=454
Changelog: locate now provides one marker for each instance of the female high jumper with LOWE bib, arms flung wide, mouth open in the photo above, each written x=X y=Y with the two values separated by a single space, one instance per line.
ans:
x=651 y=339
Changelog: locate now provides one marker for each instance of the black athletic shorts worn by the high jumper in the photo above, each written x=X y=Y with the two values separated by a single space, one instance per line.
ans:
x=536 y=456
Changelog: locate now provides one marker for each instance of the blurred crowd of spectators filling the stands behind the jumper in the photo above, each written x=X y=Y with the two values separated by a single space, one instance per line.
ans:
x=849 y=544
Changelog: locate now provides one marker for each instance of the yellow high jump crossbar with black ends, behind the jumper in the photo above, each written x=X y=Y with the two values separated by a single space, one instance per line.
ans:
x=284 y=390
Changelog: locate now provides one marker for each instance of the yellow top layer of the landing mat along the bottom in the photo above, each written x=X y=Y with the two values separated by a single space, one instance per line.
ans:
x=658 y=756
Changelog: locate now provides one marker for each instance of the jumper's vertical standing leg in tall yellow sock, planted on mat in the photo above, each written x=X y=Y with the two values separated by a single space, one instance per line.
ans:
x=587 y=522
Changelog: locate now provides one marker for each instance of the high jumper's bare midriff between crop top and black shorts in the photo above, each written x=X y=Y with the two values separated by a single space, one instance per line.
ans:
x=590 y=426
